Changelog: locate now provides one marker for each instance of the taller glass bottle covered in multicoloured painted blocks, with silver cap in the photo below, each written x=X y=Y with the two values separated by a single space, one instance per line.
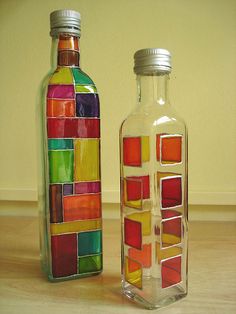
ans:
x=69 y=165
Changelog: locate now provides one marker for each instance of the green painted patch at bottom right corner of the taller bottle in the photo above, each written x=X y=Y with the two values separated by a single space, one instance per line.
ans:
x=89 y=264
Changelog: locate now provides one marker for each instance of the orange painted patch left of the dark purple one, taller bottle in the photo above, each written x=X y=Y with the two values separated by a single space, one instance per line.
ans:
x=60 y=108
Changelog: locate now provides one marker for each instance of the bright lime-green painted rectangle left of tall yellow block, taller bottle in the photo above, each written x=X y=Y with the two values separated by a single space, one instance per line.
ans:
x=61 y=166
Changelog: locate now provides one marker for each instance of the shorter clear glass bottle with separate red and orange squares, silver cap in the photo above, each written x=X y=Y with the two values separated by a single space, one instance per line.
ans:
x=153 y=147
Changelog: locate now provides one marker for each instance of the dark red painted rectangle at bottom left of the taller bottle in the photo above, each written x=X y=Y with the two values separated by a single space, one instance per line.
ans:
x=64 y=255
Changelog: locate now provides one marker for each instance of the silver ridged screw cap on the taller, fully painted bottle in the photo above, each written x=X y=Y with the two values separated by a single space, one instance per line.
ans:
x=65 y=21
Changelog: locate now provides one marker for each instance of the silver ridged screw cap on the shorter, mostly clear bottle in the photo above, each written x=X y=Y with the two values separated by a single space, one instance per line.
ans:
x=151 y=60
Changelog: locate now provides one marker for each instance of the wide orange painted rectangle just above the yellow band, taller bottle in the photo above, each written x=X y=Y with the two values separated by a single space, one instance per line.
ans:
x=80 y=207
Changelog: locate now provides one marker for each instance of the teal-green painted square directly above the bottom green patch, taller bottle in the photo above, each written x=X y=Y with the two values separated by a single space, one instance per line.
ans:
x=89 y=242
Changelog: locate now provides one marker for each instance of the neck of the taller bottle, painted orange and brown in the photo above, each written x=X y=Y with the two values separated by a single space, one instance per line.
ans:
x=65 y=51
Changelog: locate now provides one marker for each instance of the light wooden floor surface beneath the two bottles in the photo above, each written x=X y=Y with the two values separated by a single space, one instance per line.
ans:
x=24 y=289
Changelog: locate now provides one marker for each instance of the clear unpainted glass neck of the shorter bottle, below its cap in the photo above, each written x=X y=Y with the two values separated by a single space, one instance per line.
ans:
x=153 y=89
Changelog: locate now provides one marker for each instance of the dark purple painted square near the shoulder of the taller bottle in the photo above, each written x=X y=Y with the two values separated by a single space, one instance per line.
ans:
x=87 y=105
